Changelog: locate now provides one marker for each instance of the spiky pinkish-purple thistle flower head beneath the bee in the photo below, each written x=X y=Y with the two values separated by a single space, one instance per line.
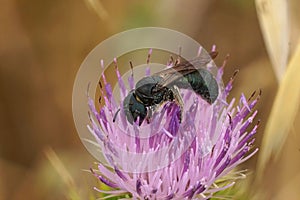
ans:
x=169 y=157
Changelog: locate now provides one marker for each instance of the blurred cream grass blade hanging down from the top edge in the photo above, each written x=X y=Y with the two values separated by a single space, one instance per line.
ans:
x=274 y=23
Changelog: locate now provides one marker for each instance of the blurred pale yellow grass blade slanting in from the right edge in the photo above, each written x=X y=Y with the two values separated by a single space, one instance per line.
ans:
x=283 y=112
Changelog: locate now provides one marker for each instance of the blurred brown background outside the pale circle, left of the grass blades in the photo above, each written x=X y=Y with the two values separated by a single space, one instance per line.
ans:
x=42 y=44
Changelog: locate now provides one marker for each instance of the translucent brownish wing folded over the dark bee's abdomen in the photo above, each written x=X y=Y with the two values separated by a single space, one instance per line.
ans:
x=181 y=69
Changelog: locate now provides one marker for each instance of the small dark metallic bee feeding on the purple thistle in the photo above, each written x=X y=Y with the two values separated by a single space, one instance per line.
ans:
x=163 y=86
